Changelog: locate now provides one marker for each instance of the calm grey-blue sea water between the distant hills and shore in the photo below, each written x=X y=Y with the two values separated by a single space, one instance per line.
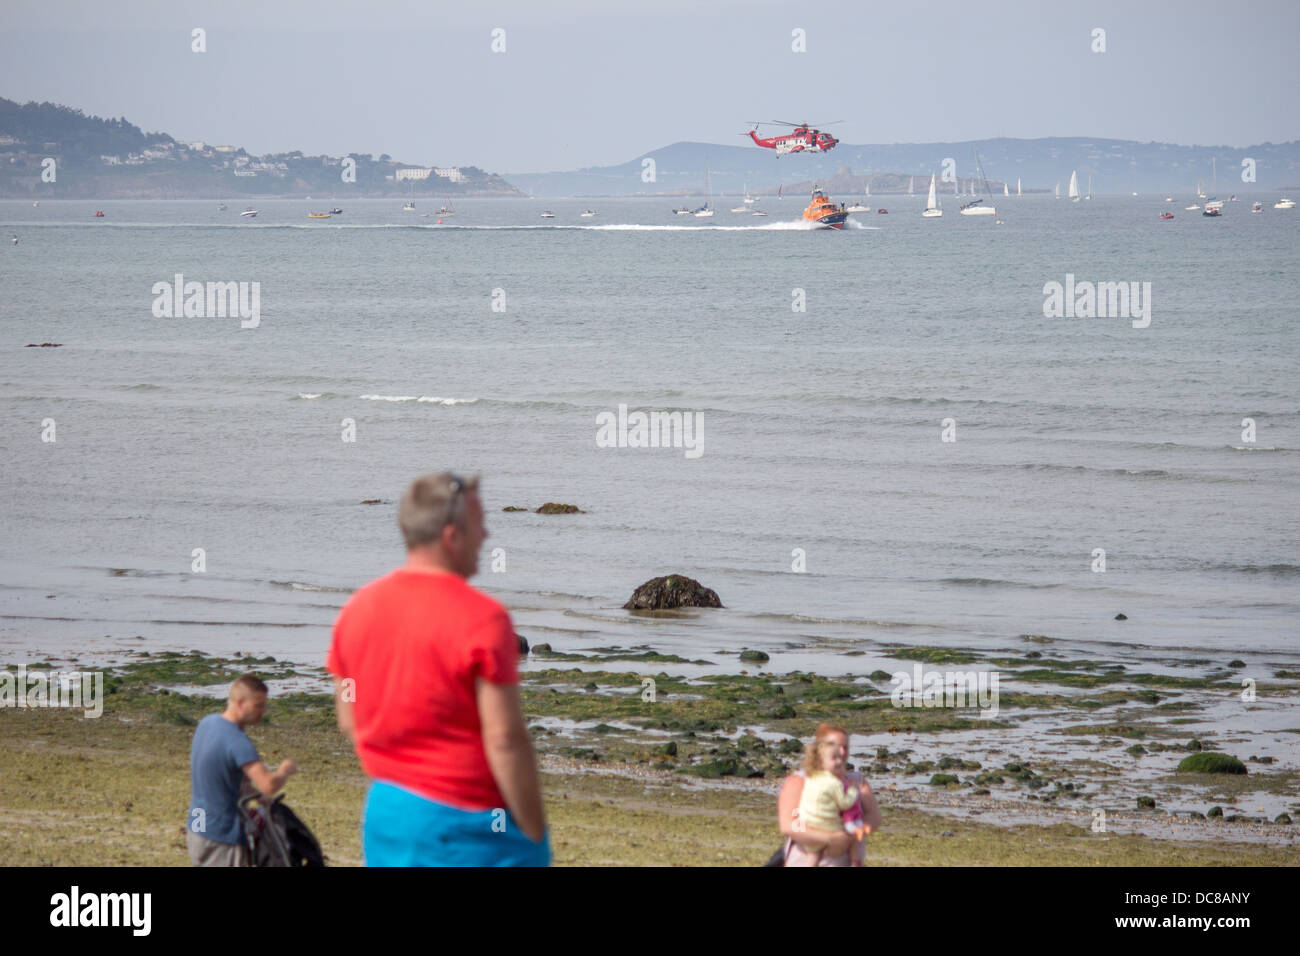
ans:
x=822 y=429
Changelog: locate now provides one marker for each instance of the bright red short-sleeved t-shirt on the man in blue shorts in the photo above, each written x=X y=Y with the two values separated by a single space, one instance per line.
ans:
x=414 y=642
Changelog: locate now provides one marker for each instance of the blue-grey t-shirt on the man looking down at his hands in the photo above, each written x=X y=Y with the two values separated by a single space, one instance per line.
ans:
x=219 y=750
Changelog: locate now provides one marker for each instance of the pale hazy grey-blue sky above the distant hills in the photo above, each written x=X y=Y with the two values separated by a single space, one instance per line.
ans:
x=596 y=84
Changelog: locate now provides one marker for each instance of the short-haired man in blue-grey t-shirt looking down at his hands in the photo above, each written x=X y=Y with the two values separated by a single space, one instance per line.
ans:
x=222 y=756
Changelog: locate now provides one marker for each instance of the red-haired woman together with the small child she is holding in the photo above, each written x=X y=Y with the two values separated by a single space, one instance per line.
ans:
x=826 y=812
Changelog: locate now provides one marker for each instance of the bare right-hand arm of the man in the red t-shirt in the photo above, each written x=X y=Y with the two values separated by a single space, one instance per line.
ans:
x=510 y=755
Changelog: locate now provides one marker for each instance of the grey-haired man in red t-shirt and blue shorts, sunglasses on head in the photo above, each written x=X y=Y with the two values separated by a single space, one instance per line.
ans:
x=427 y=687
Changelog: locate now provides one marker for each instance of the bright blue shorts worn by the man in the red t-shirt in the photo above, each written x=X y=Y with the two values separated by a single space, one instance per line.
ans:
x=405 y=829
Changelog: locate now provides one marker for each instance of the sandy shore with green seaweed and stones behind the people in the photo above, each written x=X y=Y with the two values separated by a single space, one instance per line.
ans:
x=114 y=790
